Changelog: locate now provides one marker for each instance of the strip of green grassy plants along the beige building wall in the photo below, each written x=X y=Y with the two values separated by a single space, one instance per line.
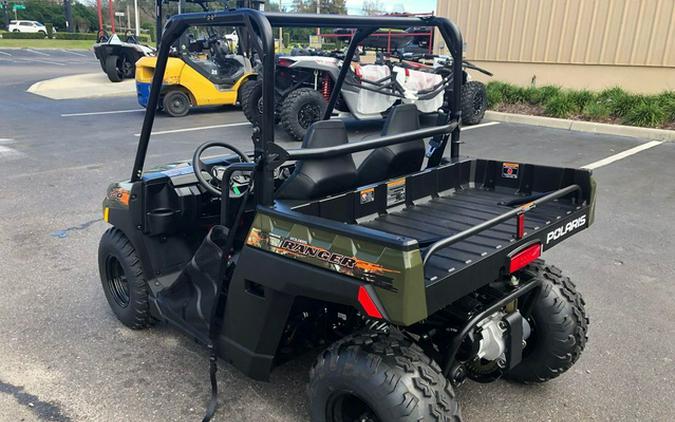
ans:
x=613 y=104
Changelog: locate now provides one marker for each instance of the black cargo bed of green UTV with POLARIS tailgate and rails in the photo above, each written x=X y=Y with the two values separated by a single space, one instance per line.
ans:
x=466 y=217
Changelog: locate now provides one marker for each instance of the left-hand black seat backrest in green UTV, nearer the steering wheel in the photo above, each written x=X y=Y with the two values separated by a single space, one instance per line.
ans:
x=313 y=179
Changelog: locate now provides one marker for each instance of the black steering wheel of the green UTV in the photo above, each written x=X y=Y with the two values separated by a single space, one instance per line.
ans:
x=216 y=171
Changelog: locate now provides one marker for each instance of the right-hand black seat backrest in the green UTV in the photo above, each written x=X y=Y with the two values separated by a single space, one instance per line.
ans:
x=394 y=160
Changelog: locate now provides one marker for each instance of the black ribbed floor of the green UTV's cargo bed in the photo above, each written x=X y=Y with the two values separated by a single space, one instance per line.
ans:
x=460 y=210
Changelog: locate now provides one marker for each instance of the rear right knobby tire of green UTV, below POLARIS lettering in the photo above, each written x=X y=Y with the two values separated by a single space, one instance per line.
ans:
x=559 y=327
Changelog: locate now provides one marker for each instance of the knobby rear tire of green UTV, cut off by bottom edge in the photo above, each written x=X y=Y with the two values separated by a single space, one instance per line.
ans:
x=379 y=377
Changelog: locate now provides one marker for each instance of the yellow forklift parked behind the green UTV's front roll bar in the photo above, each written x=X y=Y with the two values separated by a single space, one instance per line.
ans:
x=208 y=67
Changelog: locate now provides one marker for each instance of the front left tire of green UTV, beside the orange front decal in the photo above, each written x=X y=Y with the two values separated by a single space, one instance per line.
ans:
x=122 y=279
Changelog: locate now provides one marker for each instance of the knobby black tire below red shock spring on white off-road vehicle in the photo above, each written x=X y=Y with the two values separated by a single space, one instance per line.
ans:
x=301 y=108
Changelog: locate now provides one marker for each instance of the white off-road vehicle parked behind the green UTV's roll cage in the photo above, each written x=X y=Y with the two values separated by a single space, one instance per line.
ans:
x=304 y=84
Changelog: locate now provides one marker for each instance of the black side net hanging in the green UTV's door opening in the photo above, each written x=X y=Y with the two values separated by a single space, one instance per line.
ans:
x=189 y=302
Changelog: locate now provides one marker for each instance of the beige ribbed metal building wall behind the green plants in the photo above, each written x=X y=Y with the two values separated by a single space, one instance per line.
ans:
x=590 y=44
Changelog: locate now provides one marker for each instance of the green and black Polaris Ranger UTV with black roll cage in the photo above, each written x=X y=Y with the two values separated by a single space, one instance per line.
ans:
x=405 y=279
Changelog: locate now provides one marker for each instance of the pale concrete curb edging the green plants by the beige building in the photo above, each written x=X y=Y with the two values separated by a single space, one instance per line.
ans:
x=583 y=126
